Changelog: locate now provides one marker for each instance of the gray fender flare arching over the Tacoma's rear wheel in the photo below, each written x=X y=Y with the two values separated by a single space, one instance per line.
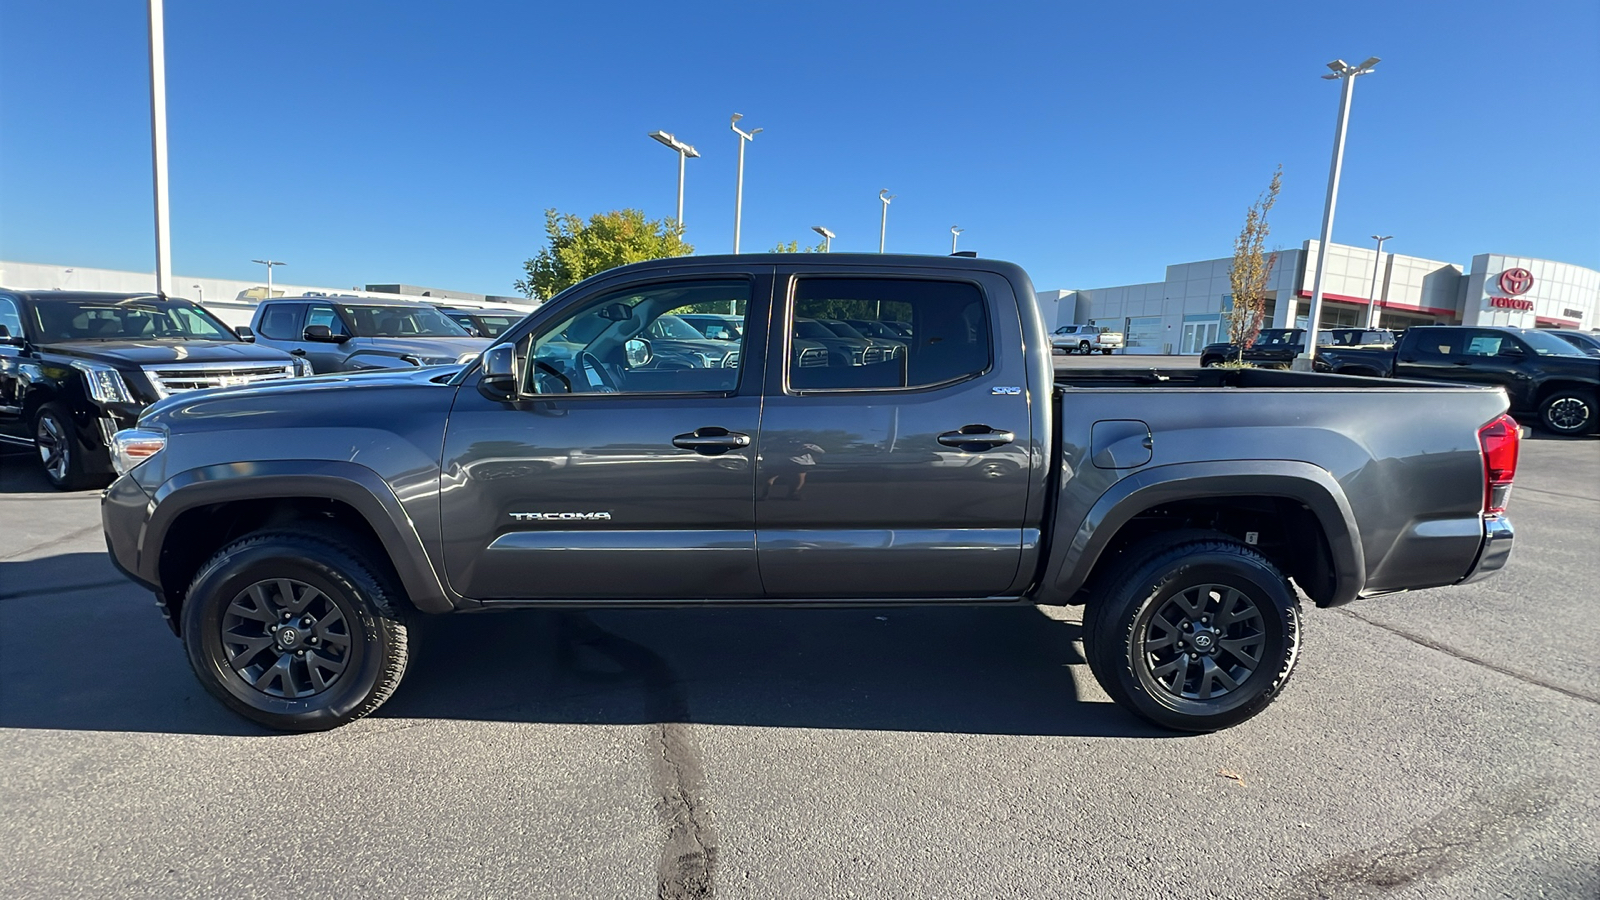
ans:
x=1292 y=480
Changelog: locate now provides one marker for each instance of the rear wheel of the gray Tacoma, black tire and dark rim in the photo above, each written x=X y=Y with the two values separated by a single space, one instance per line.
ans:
x=1130 y=635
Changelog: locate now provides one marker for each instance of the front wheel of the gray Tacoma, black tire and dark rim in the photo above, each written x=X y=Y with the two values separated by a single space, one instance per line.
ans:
x=311 y=683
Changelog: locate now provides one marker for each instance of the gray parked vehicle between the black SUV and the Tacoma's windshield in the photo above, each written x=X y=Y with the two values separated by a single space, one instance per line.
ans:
x=353 y=334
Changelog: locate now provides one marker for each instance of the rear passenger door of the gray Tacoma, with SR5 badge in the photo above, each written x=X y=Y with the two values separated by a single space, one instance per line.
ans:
x=905 y=476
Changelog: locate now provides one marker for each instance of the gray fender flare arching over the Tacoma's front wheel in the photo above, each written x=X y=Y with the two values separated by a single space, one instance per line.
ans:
x=353 y=484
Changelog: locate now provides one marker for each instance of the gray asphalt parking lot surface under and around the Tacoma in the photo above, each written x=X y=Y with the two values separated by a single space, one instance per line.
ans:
x=1439 y=744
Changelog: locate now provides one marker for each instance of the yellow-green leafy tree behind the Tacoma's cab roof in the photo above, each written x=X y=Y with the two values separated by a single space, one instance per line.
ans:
x=580 y=249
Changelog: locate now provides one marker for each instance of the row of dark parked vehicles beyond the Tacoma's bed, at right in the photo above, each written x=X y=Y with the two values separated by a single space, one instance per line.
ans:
x=1553 y=377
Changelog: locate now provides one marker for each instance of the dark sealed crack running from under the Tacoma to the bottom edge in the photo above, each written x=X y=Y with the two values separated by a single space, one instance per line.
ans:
x=687 y=866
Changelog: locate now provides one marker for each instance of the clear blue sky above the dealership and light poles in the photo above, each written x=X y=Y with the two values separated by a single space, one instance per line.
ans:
x=420 y=143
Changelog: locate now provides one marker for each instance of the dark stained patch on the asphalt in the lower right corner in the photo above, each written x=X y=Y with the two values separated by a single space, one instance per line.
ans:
x=1484 y=826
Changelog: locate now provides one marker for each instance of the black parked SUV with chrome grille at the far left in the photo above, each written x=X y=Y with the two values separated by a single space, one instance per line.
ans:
x=76 y=368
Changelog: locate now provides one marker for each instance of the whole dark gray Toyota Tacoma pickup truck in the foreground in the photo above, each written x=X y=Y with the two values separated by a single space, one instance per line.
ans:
x=294 y=532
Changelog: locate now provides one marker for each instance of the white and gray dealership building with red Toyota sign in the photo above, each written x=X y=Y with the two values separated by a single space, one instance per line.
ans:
x=1361 y=287
